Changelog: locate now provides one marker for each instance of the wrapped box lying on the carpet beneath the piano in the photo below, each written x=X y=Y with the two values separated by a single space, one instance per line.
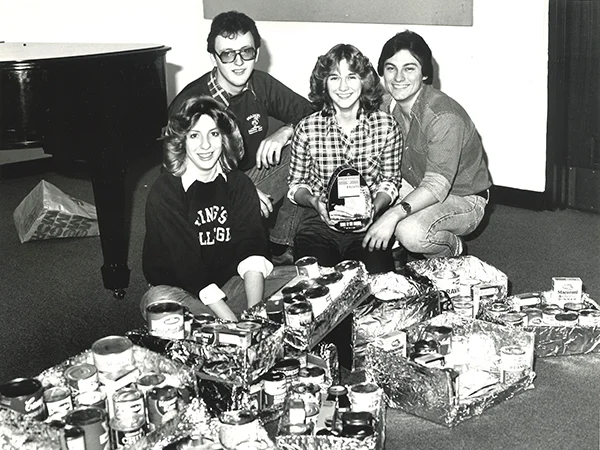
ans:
x=47 y=213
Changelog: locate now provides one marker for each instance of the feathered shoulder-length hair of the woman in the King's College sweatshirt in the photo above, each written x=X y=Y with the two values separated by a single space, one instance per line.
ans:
x=183 y=121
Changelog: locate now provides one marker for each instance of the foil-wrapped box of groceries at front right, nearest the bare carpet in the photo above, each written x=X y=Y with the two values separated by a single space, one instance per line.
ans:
x=457 y=368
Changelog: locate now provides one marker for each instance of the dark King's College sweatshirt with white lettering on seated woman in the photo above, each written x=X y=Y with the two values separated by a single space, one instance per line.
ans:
x=198 y=237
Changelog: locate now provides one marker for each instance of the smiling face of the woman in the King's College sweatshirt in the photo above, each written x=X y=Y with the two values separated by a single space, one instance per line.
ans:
x=204 y=145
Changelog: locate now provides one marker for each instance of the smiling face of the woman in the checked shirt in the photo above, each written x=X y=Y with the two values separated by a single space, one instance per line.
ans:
x=344 y=88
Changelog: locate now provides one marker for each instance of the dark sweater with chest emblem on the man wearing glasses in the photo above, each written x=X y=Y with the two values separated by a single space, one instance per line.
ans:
x=266 y=98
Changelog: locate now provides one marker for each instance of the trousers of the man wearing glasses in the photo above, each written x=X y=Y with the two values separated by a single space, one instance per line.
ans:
x=273 y=182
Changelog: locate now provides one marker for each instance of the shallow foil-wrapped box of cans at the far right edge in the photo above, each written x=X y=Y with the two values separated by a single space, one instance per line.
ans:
x=570 y=329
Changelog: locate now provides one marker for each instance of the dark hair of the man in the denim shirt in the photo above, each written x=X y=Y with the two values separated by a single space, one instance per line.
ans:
x=416 y=45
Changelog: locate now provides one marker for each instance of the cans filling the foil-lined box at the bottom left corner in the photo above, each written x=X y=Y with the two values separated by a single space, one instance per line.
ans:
x=101 y=406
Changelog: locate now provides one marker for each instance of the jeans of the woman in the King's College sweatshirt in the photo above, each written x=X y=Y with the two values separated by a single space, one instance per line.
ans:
x=234 y=289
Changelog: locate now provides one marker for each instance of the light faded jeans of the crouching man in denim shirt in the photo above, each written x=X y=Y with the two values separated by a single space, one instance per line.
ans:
x=435 y=230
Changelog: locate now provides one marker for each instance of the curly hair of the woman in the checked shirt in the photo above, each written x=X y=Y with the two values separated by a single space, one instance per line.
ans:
x=372 y=92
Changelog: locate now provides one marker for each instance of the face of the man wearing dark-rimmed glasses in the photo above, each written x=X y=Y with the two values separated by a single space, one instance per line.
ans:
x=233 y=76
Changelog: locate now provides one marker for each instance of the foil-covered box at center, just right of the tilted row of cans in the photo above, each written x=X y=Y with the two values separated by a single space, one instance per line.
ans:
x=397 y=302
